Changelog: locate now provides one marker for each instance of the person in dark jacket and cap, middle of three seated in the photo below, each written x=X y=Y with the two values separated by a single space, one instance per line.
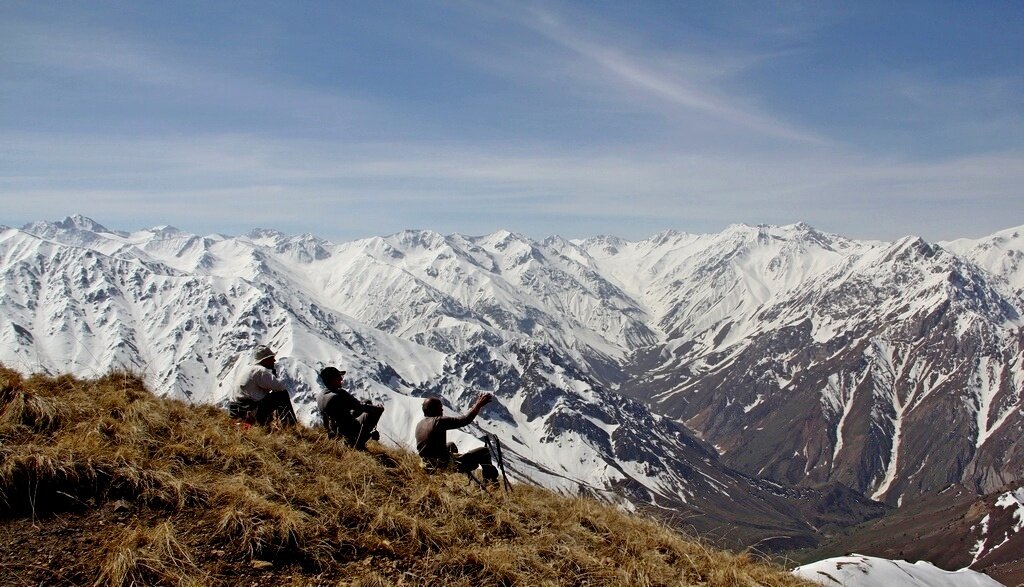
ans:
x=344 y=415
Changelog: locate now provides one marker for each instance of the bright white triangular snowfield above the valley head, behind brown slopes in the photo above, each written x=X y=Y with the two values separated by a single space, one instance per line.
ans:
x=729 y=275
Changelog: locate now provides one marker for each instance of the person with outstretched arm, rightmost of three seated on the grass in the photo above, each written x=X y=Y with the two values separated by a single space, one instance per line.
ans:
x=433 y=445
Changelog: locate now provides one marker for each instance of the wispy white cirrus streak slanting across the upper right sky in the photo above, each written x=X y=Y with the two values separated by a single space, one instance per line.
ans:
x=676 y=86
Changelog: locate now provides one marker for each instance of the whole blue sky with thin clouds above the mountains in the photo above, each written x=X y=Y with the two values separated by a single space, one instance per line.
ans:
x=351 y=119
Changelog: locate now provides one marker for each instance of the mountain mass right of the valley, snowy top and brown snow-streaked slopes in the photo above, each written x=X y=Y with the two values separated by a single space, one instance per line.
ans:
x=807 y=358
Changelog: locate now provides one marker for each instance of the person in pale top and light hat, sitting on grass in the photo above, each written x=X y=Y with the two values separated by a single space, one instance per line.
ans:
x=261 y=397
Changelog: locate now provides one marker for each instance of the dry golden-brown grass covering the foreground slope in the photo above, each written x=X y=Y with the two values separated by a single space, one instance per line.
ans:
x=211 y=500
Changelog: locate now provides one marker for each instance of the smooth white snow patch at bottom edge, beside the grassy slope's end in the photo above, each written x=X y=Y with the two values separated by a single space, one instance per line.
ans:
x=859 y=571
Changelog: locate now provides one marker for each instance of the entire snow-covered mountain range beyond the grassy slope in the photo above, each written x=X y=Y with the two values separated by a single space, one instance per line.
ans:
x=759 y=358
